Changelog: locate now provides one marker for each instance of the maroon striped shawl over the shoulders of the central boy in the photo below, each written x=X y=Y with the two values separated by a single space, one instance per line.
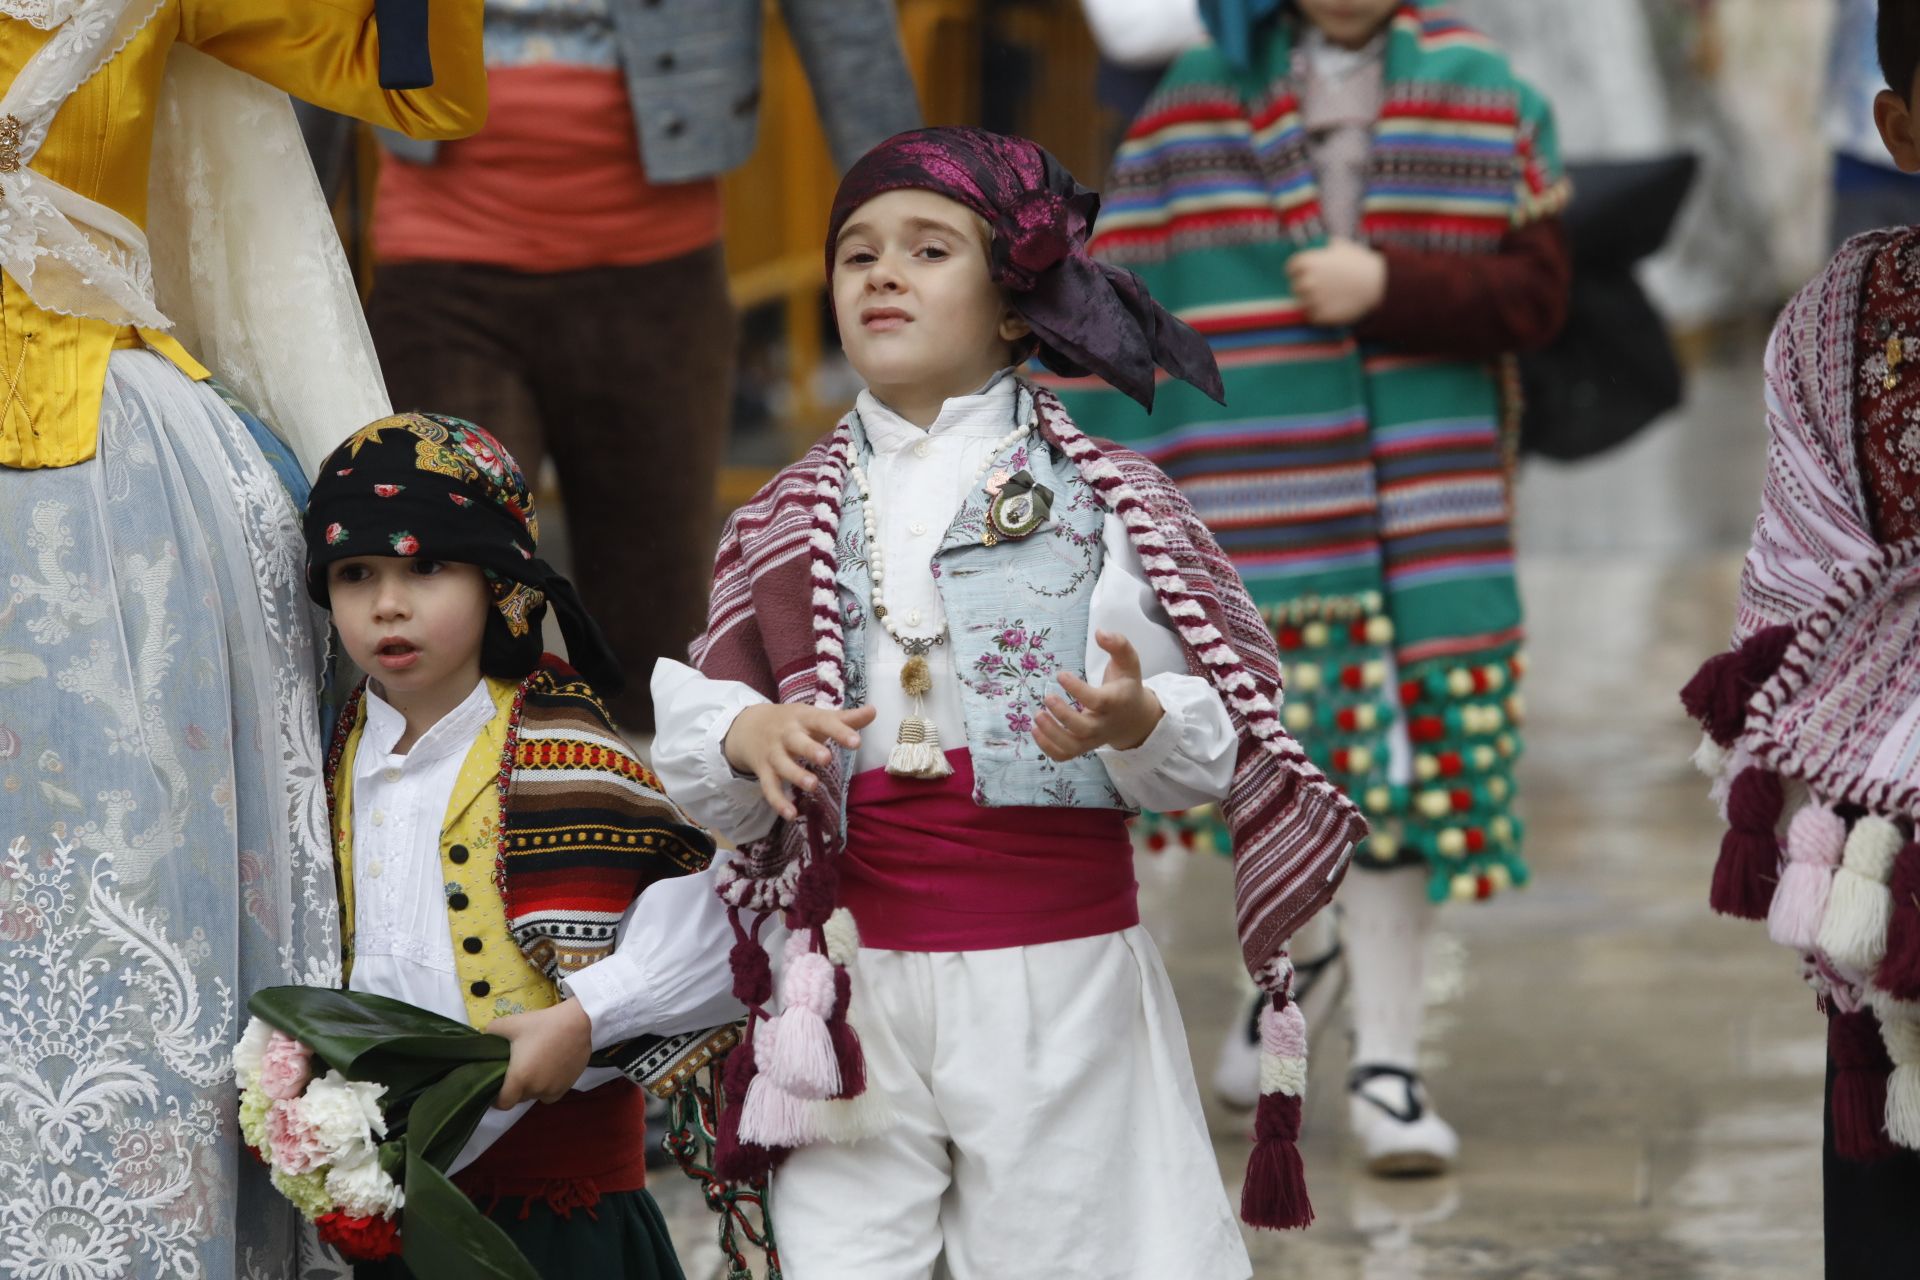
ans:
x=775 y=625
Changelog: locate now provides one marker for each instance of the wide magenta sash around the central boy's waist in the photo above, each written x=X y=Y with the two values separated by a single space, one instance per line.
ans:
x=928 y=870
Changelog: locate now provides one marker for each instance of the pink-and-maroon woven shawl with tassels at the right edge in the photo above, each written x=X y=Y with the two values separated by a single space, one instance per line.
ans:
x=1813 y=721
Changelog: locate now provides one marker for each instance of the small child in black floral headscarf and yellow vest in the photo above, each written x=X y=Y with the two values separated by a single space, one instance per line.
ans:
x=492 y=832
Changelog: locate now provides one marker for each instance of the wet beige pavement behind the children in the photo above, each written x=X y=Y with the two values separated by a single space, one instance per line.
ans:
x=1637 y=1083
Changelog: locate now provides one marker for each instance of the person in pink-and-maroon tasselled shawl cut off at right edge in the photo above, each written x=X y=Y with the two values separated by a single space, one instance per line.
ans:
x=1812 y=717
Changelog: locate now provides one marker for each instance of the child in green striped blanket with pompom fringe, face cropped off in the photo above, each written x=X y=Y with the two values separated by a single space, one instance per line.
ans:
x=1356 y=202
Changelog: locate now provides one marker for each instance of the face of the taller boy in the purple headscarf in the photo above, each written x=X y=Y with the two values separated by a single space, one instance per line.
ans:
x=913 y=296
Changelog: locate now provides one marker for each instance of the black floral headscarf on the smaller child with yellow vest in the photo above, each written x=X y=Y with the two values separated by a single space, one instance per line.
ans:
x=421 y=485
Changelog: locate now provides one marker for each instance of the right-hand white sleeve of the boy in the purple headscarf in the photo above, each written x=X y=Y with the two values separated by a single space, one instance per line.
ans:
x=1189 y=757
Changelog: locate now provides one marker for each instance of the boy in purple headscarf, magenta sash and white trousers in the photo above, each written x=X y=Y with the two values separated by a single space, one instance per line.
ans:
x=948 y=653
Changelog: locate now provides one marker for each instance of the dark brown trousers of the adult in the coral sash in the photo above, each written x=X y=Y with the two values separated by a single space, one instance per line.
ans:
x=625 y=377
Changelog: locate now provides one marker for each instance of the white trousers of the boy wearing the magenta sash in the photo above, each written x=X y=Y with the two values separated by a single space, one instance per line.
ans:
x=1049 y=1127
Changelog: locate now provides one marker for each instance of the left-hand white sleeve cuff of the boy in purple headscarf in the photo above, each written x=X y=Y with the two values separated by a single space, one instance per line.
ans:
x=692 y=717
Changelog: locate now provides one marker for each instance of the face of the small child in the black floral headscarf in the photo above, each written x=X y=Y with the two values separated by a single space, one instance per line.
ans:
x=410 y=623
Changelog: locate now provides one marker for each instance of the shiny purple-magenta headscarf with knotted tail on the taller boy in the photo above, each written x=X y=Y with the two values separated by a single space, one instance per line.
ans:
x=1088 y=318
